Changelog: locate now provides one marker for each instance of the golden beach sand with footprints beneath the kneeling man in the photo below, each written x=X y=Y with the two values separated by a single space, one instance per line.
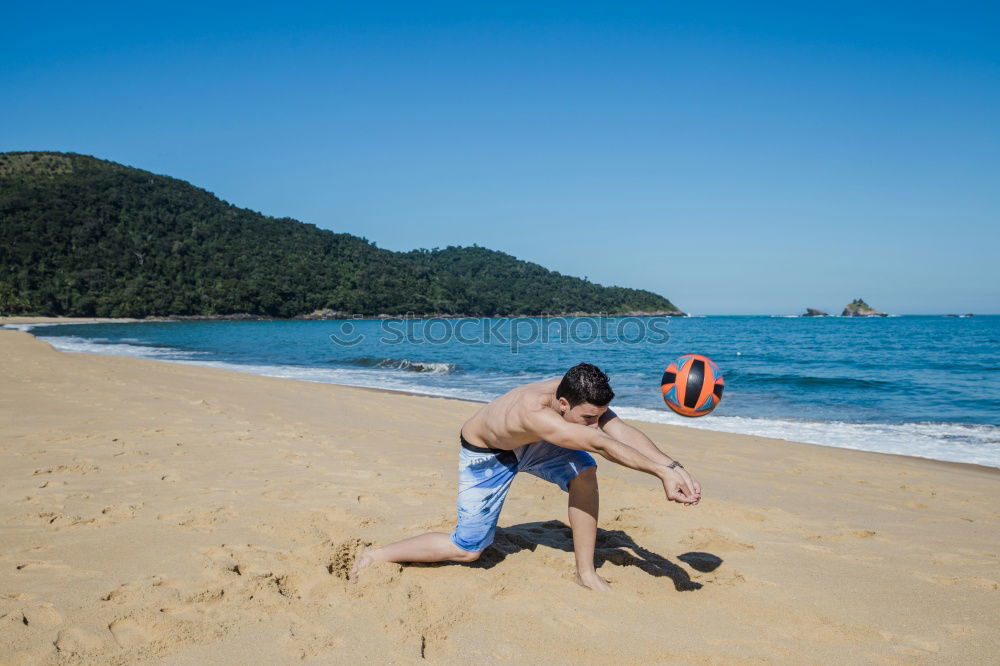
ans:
x=164 y=513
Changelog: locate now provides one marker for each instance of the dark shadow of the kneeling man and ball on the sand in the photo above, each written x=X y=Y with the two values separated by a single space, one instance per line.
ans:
x=614 y=546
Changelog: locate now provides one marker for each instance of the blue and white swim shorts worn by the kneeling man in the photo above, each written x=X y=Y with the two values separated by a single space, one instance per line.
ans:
x=485 y=475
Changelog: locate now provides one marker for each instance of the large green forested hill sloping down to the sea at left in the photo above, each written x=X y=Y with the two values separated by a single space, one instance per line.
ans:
x=86 y=237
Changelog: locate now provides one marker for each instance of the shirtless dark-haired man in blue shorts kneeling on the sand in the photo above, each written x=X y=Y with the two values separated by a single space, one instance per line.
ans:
x=548 y=429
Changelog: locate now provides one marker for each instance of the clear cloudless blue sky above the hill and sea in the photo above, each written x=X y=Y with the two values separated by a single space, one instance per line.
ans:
x=735 y=157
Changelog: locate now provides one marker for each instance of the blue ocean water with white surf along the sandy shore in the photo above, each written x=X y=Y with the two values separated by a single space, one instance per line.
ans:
x=917 y=385
